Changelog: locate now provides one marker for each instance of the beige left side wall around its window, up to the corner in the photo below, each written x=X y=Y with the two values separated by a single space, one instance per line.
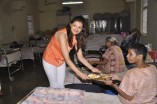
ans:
x=13 y=21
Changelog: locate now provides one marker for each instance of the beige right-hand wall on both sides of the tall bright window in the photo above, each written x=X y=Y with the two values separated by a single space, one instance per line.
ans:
x=135 y=9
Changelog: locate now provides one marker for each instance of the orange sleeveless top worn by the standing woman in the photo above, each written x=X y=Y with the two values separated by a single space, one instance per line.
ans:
x=53 y=54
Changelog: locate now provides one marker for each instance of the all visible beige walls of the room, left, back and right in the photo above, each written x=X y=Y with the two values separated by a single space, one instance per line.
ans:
x=14 y=26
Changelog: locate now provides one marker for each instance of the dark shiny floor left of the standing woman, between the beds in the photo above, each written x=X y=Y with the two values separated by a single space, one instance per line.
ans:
x=24 y=82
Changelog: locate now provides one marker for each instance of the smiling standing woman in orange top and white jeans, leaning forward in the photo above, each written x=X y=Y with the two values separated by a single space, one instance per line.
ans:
x=57 y=52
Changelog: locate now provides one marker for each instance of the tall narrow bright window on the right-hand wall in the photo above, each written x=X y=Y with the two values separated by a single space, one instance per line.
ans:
x=144 y=16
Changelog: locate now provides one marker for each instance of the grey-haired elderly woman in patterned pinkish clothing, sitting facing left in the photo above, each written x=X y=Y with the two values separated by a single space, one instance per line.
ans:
x=112 y=60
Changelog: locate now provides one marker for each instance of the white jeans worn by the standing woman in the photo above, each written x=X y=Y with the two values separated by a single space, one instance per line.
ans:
x=56 y=75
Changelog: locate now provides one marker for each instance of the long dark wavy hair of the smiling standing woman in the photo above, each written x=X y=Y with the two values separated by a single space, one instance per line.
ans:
x=80 y=37
